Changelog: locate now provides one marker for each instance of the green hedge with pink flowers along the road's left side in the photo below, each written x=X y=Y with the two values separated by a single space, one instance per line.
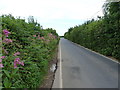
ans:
x=26 y=51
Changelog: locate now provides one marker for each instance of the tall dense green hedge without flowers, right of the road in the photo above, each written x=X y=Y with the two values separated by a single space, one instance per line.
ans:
x=101 y=35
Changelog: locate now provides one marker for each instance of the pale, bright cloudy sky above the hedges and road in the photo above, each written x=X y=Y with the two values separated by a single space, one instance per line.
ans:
x=57 y=14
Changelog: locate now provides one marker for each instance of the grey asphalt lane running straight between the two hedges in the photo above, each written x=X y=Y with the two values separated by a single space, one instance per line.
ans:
x=81 y=68
